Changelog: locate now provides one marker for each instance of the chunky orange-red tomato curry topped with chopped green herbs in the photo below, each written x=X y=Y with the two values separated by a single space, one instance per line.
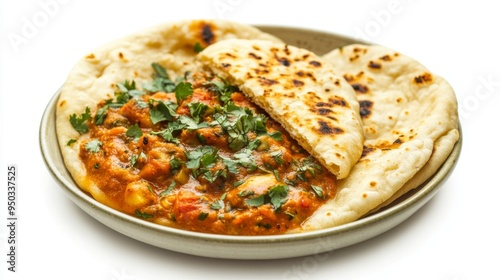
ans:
x=197 y=155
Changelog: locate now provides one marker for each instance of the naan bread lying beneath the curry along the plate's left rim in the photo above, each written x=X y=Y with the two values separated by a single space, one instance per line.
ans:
x=94 y=77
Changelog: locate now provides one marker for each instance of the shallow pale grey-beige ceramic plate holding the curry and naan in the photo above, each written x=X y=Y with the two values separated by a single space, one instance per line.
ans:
x=245 y=247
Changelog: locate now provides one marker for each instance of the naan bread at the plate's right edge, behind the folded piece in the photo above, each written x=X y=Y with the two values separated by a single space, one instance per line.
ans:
x=410 y=124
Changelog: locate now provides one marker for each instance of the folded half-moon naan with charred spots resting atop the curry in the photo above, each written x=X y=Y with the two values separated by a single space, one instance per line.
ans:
x=298 y=89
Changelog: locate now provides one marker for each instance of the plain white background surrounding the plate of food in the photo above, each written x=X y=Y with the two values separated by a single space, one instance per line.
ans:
x=454 y=237
